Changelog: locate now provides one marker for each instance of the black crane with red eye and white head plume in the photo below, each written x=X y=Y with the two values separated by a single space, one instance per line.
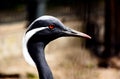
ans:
x=39 y=33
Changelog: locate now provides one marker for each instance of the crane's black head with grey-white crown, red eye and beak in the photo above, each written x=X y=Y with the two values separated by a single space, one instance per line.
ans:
x=48 y=28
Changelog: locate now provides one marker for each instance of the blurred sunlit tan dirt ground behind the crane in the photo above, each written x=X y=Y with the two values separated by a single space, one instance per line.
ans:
x=67 y=60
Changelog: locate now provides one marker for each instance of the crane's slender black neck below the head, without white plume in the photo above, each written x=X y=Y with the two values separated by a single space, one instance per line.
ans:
x=36 y=50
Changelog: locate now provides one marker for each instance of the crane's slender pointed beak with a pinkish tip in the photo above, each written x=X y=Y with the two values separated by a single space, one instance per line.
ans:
x=71 y=32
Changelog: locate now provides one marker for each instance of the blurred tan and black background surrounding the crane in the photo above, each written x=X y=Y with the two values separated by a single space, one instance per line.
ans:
x=69 y=58
